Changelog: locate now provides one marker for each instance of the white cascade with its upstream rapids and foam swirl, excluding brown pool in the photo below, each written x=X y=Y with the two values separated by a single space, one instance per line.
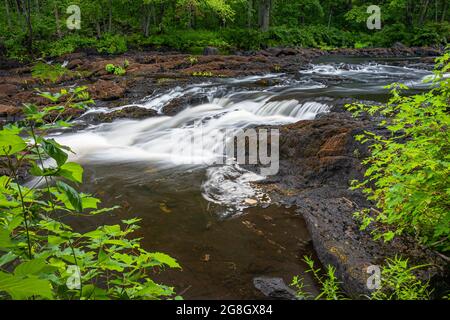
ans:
x=234 y=104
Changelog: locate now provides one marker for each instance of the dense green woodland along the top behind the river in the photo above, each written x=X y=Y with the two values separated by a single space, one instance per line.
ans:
x=38 y=27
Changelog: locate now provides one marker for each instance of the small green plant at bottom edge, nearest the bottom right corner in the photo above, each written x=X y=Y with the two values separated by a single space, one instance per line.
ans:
x=398 y=282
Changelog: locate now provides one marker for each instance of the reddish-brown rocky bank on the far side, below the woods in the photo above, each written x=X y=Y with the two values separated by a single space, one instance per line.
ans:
x=152 y=71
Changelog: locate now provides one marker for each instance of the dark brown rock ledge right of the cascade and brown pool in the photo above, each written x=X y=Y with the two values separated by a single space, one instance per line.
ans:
x=318 y=159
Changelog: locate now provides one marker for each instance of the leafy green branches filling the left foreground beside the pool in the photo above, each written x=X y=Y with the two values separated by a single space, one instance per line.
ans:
x=41 y=256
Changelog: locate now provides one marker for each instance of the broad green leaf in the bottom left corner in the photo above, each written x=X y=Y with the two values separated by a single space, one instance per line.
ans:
x=20 y=288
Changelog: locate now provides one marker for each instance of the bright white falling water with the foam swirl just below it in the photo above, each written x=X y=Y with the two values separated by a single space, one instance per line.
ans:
x=157 y=140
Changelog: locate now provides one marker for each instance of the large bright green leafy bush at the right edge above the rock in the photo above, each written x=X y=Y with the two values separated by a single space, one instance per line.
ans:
x=408 y=170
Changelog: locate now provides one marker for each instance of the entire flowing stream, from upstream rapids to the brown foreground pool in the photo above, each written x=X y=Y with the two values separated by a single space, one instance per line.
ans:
x=204 y=214
